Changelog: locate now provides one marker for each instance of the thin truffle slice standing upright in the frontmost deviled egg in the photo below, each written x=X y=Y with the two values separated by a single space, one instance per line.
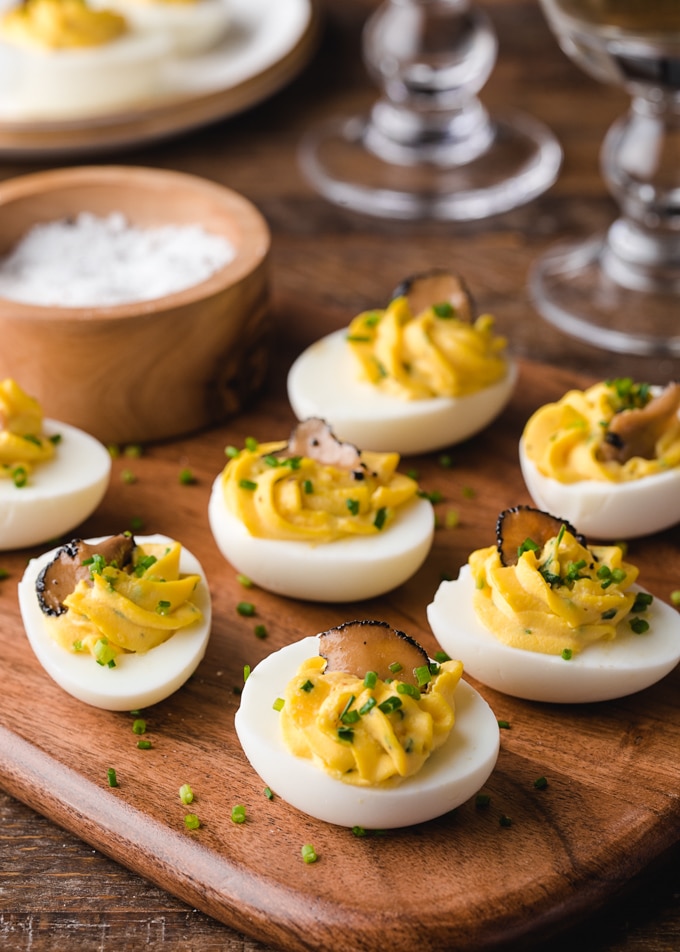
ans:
x=356 y=647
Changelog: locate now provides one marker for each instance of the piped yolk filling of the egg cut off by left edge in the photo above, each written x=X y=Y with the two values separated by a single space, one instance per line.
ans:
x=22 y=443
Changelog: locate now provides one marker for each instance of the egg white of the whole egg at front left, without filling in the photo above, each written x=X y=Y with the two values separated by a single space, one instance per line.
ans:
x=138 y=680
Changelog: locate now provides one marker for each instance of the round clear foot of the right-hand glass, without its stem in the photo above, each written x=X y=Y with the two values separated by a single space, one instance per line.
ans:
x=572 y=291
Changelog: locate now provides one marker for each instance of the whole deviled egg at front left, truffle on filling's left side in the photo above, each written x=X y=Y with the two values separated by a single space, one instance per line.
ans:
x=119 y=623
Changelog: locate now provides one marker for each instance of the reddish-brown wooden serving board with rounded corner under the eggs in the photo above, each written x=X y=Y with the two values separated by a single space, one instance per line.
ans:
x=466 y=881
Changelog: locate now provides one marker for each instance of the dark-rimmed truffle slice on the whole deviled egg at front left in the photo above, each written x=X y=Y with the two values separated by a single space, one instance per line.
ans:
x=71 y=564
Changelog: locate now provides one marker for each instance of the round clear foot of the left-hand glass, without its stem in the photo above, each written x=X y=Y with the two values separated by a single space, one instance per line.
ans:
x=521 y=161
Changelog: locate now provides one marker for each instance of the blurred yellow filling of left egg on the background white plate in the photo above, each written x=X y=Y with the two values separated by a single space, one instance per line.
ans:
x=61 y=24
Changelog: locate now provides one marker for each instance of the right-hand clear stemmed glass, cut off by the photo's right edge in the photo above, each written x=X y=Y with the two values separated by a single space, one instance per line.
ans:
x=620 y=290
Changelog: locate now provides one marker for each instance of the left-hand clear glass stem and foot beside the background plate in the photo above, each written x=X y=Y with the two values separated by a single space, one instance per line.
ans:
x=429 y=148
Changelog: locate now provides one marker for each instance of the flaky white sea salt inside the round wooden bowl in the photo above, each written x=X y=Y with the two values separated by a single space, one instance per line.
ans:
x=93 y=261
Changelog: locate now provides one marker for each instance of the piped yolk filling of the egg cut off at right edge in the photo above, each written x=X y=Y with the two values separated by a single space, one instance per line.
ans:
x=564 y=440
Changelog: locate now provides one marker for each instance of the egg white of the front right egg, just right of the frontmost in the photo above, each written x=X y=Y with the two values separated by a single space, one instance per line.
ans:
x=602 y=671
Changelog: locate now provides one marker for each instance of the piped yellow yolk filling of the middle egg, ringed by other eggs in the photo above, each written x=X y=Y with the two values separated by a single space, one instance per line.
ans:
x=299 y=498
